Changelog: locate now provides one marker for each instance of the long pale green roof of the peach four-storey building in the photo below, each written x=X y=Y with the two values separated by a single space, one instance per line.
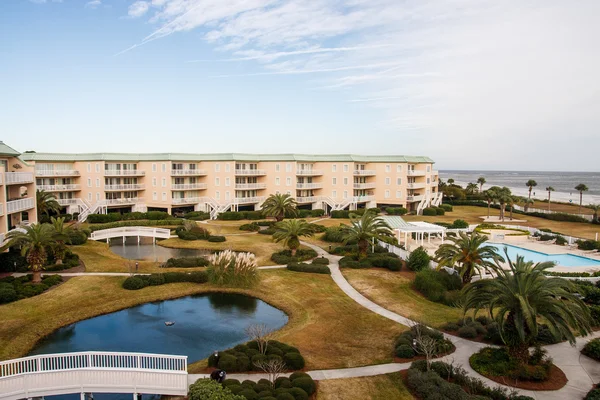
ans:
x=220 y=157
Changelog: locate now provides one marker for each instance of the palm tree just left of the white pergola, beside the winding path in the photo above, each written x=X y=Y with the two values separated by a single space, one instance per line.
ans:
x=368 y=227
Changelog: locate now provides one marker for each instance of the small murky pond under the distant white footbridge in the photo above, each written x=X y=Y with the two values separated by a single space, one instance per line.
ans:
x=145 y=250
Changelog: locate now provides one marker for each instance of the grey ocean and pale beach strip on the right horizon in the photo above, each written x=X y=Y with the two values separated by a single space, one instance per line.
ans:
x=563 y=182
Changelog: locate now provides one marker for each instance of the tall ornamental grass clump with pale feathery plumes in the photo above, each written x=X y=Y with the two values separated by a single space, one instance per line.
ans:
x=232 y=269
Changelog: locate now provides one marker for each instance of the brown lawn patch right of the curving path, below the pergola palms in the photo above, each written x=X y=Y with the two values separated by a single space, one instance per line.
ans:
x=393 y=291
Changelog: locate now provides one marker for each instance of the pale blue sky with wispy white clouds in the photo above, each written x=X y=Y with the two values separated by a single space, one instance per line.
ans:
x=473 y=84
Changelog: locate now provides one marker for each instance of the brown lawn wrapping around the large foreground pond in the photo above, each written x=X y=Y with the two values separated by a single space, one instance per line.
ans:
x=330 y=329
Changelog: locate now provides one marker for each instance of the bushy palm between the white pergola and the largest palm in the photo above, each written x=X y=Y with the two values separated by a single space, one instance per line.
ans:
x=467 y=254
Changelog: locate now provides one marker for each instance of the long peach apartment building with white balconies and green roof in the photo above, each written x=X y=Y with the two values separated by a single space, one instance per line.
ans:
x=106 y=182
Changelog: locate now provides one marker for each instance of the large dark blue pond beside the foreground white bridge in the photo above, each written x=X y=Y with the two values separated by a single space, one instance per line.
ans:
x=203 y=323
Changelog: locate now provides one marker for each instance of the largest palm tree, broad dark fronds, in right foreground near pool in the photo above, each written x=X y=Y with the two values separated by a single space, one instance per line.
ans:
x=522 y=295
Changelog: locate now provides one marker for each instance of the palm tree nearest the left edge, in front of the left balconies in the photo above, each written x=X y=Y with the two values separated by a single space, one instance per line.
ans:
x=33 y=243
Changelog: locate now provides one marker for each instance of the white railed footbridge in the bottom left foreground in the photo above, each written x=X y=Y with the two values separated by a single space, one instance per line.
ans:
x=93 y=372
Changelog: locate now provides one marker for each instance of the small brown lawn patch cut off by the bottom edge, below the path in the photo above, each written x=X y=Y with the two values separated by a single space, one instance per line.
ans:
x=381 y=387
